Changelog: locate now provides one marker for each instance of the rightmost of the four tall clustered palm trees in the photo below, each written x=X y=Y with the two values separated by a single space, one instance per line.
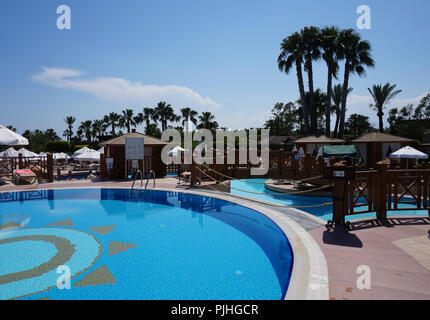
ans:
x=356 y=53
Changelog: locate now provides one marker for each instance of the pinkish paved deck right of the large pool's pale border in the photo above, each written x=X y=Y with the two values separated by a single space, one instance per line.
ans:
x=394 y=273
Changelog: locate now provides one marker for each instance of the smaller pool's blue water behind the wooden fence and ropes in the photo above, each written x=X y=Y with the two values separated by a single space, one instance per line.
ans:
x=325 y=213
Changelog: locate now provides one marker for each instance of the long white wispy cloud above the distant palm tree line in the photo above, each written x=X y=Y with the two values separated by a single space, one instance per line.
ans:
x=119 y=90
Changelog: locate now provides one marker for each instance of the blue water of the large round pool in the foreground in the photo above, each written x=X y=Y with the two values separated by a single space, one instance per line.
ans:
x=122 y=244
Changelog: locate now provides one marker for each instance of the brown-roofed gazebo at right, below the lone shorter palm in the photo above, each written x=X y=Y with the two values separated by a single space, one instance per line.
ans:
x=377 y=146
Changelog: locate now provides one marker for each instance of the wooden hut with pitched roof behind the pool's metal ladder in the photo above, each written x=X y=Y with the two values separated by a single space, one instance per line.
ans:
x=121 y=168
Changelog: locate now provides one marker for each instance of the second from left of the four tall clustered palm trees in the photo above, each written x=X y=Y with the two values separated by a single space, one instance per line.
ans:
x=312 y=51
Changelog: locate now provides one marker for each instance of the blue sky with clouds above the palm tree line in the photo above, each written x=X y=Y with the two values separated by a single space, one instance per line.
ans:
x=217 y=56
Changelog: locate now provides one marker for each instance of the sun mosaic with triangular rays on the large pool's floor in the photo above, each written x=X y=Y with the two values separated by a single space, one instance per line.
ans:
x=30 y=257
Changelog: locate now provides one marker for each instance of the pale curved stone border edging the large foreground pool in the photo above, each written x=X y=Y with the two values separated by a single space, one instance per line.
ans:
x=309 y=277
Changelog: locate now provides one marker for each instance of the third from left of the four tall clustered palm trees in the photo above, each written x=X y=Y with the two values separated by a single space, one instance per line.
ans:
x=329 y=37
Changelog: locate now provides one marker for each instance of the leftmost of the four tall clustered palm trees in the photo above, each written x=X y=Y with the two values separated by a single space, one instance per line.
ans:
x=292 y=52
